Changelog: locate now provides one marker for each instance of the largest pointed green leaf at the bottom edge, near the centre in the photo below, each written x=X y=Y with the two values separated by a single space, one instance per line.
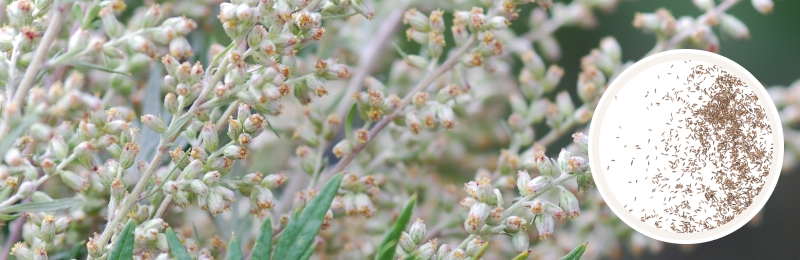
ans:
x=299 y=234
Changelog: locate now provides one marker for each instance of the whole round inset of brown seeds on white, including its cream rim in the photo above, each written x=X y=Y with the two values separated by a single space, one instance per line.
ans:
x=686 y=146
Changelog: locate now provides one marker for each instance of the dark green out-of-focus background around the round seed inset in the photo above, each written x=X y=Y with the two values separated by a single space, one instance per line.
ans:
x=772 y=55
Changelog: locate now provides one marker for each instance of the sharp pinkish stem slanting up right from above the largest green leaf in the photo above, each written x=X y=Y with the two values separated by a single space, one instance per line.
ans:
x=446 y=66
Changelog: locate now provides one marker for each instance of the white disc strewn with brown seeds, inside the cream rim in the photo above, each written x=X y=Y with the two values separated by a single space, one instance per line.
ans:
x=691 y=147
